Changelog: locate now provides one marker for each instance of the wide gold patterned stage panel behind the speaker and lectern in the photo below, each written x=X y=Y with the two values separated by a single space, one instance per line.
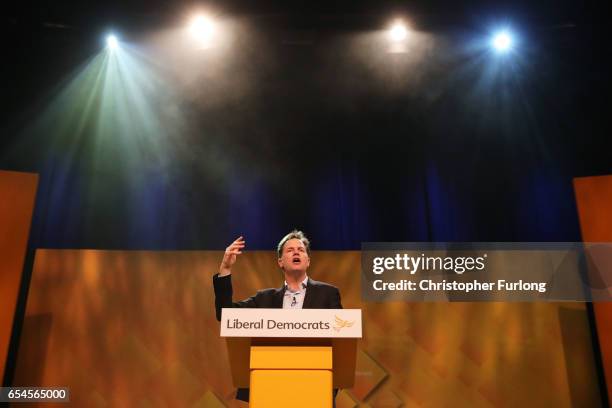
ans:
x=137 y=328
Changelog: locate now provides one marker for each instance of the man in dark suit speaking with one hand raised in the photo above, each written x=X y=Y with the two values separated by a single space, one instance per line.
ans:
x=298 y=291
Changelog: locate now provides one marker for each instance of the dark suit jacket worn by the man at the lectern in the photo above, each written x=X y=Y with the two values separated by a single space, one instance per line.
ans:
x=319 y=295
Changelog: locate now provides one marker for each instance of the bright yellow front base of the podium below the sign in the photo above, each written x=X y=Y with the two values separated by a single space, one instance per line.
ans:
x=291 y=377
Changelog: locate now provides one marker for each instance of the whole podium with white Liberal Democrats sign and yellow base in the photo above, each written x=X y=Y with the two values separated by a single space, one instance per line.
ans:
x=292 y=357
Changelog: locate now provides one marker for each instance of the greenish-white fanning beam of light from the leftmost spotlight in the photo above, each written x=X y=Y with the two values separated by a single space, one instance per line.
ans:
x=112 y=128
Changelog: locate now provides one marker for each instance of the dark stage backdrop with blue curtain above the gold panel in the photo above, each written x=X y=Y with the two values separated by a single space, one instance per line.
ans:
x=335 y=136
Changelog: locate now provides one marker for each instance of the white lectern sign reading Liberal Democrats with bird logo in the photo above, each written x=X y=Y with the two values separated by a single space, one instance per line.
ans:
x=327 y=323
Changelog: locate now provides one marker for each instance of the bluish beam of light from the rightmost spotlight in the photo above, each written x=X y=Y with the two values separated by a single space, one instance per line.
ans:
x=494 y=79
